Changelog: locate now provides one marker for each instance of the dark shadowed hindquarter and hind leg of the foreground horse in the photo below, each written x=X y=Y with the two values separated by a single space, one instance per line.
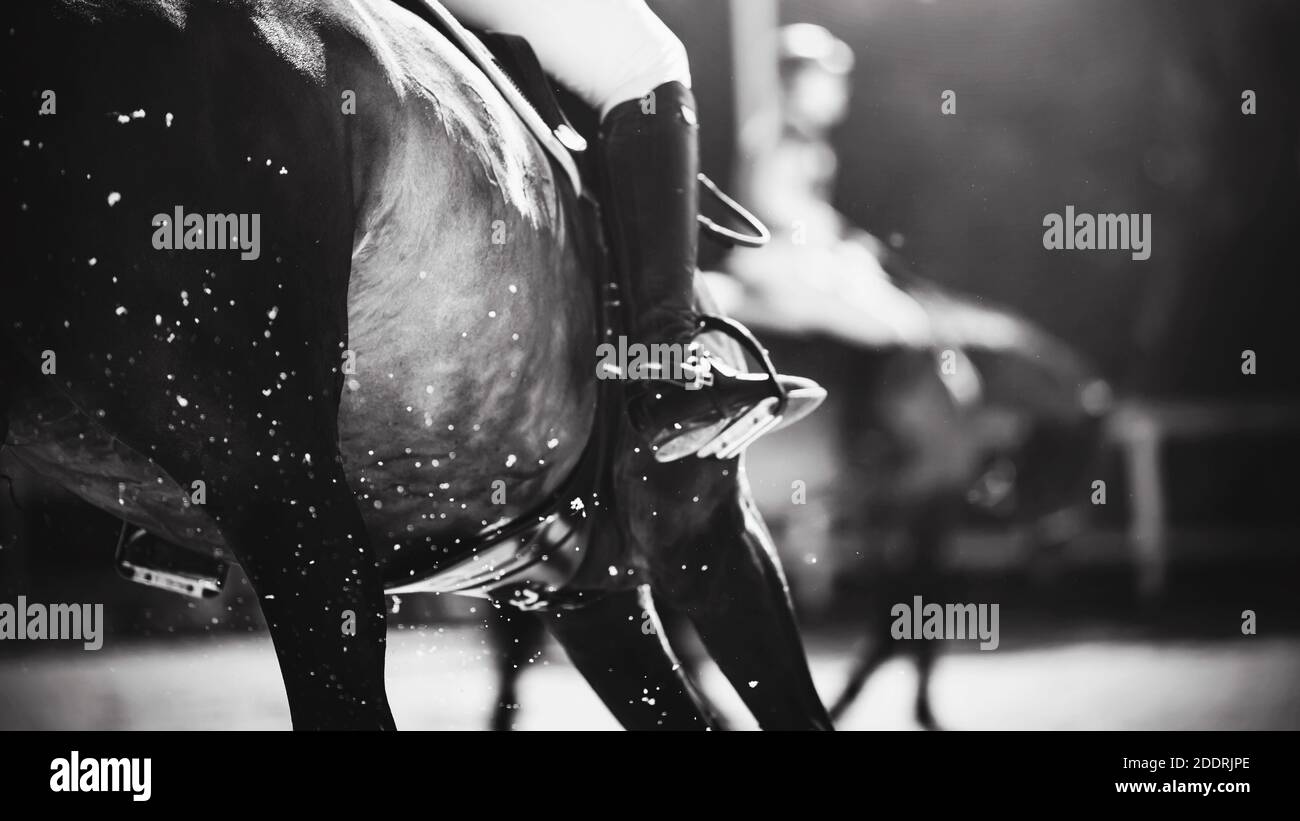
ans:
x=219 y=360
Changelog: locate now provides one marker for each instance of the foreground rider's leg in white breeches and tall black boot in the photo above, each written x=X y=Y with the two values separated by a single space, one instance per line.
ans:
x=625 y=62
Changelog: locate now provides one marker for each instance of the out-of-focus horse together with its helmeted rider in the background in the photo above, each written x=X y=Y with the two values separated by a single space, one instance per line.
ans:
x=946 y=410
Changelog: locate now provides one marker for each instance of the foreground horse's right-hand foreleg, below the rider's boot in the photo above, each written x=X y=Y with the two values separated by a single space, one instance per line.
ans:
x=742 y=610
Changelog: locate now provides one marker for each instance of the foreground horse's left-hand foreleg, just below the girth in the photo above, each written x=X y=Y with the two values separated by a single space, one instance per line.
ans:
x=634 y=672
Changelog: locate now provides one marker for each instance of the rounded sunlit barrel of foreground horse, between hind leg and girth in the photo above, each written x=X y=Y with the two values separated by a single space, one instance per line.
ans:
x=469 y=380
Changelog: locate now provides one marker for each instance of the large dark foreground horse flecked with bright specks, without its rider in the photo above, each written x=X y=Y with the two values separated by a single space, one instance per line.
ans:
x=367 y=359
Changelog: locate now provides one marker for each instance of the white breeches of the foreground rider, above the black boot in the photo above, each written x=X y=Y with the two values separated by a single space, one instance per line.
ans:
x=605 y=51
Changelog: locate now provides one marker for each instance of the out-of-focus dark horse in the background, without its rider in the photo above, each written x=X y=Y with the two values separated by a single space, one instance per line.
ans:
x=972 y=416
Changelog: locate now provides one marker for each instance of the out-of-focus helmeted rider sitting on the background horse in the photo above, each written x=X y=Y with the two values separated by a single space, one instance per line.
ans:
x=821 y=273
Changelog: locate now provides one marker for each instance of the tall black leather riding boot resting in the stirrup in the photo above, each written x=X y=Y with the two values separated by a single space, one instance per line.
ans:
x=712 y=407
